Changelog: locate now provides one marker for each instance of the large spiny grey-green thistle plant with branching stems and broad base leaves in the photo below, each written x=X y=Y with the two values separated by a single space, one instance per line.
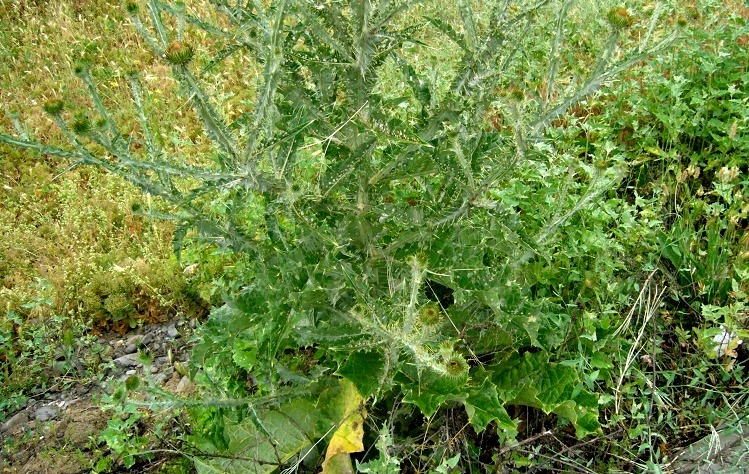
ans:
x=391 y=206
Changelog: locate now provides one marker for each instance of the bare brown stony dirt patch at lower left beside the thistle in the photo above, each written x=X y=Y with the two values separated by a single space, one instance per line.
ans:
x=58 y=433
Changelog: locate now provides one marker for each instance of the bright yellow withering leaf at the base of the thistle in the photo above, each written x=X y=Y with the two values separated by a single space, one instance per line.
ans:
x=348 y=438
